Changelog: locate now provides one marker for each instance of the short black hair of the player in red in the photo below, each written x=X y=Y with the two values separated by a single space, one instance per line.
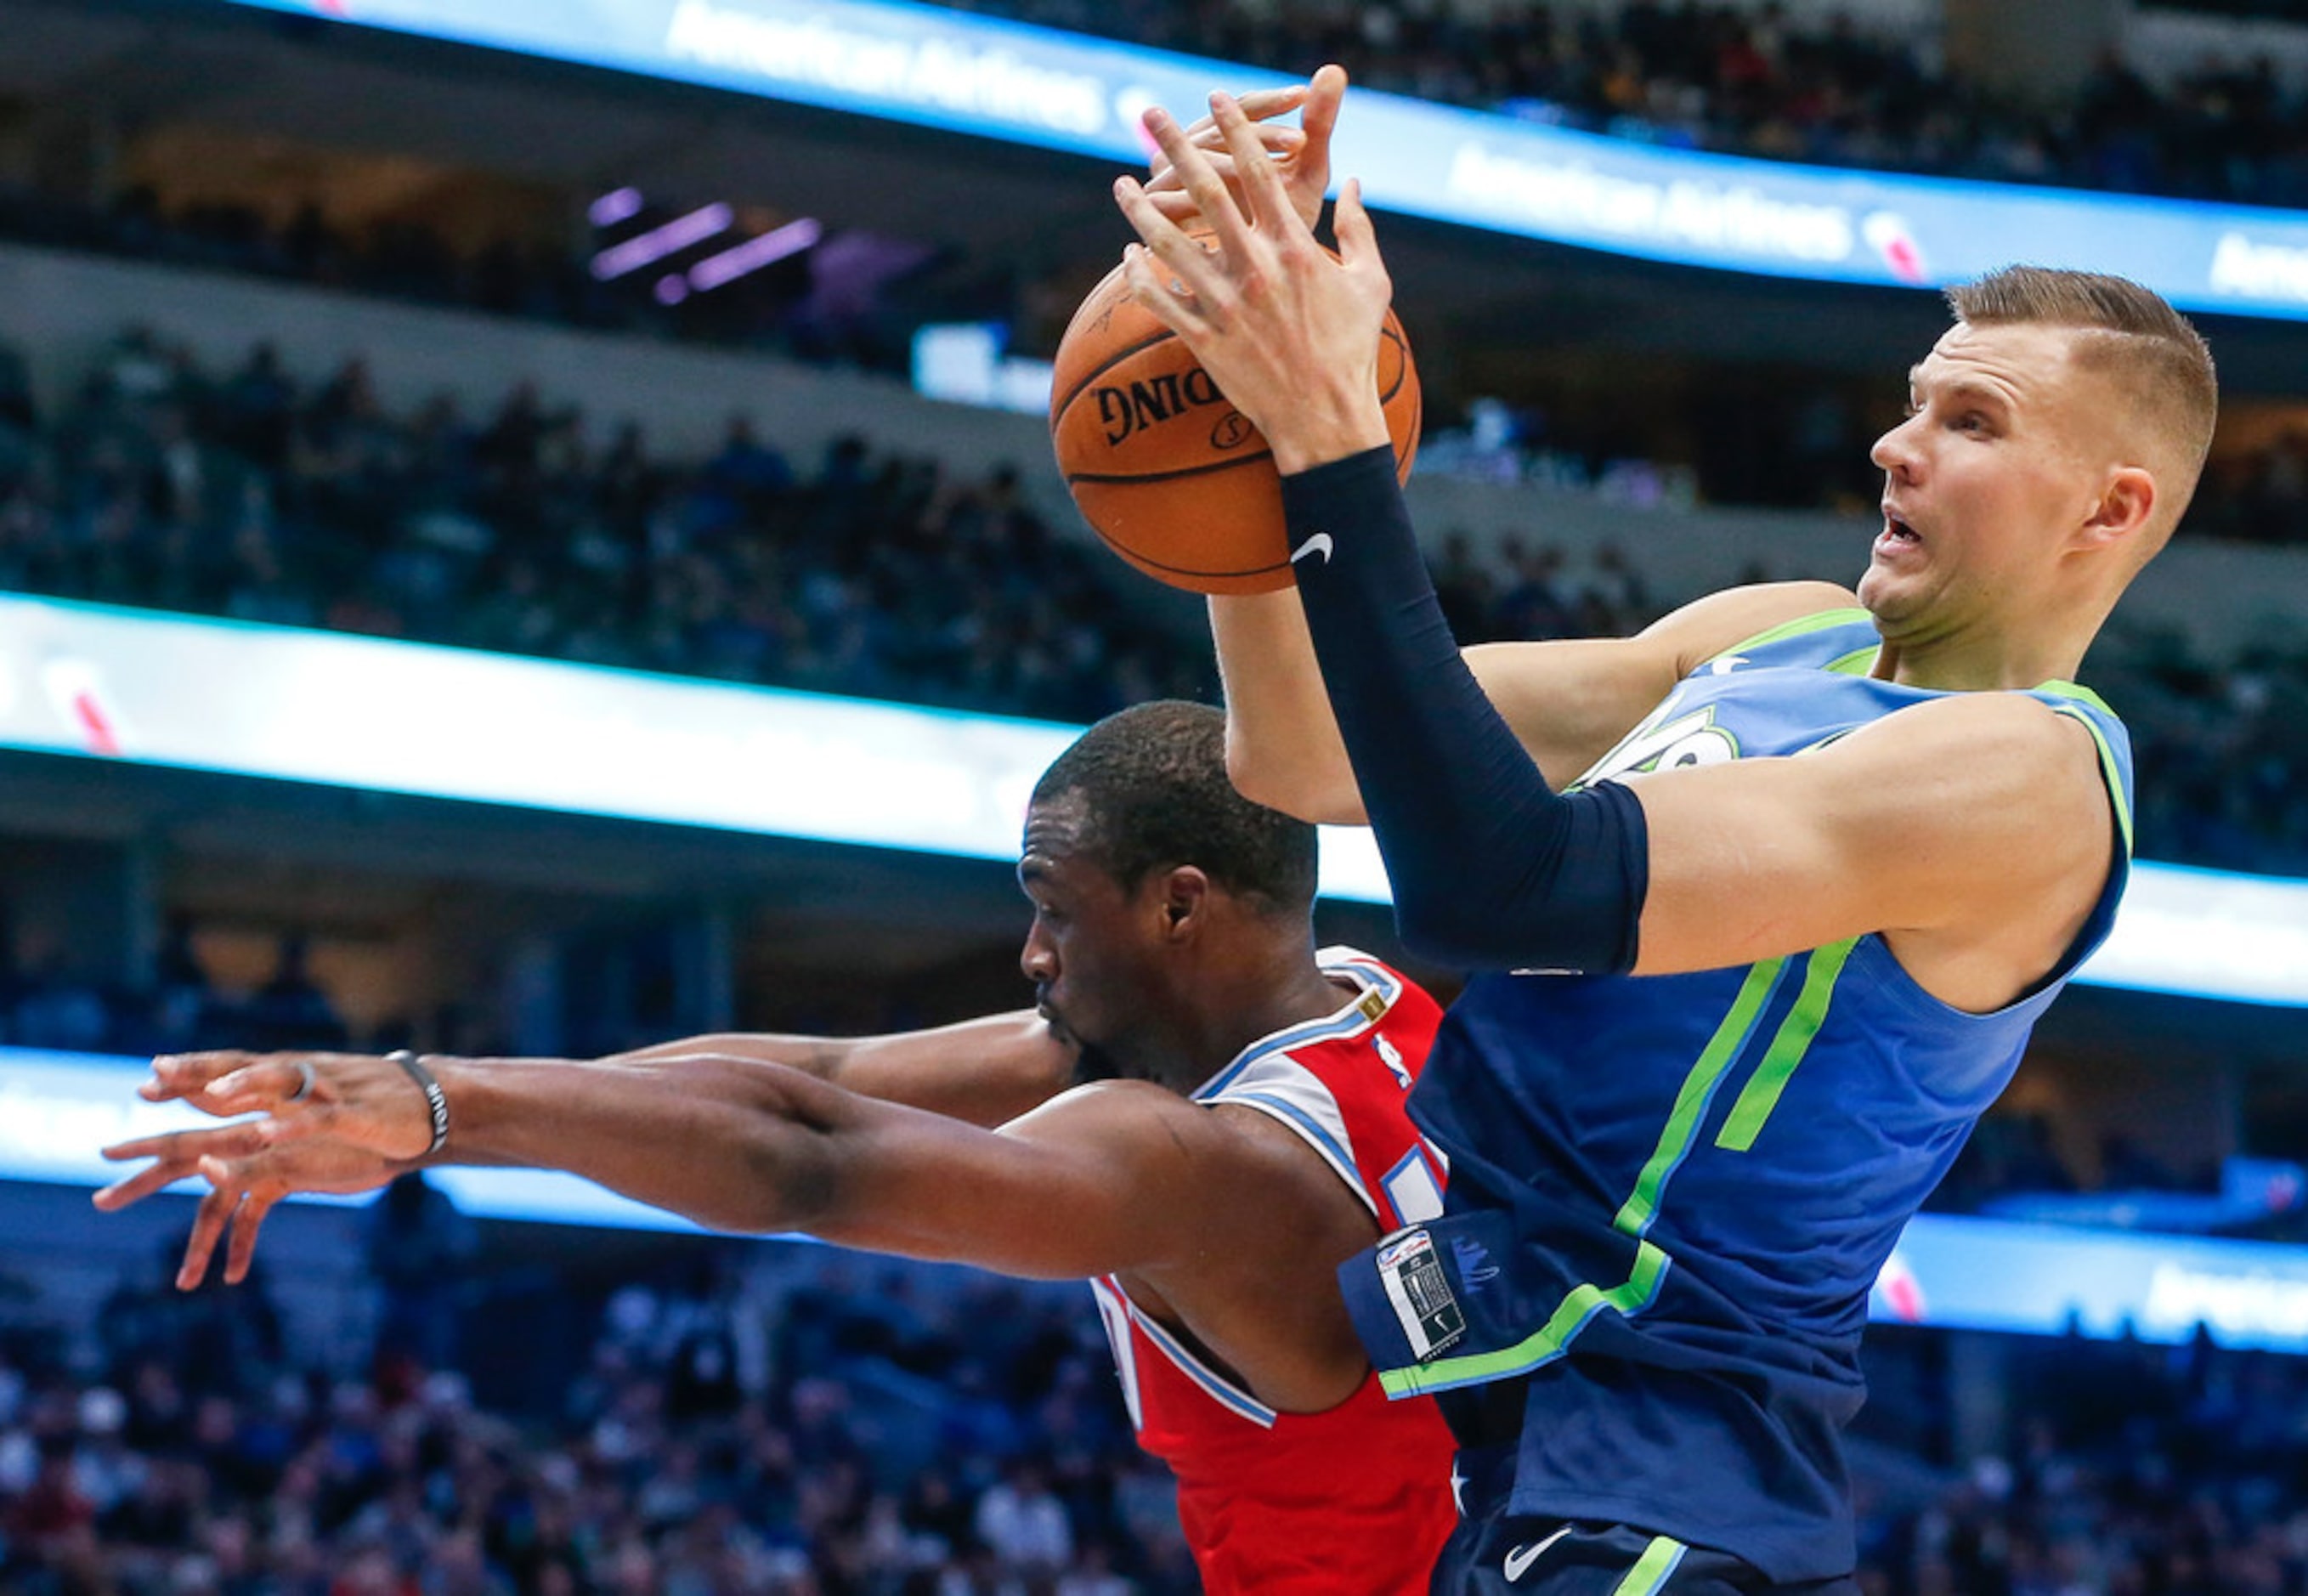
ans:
x=1155 y=791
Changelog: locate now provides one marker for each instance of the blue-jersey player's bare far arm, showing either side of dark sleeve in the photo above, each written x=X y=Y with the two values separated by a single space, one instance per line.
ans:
x=1568 y=703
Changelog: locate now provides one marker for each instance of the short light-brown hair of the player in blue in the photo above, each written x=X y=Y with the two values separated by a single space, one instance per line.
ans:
x=2134 y=334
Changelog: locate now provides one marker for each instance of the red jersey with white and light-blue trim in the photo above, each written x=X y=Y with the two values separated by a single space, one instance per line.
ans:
x=1358 y=1498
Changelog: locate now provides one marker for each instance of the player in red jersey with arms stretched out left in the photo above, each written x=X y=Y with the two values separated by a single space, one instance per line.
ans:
x=1257 y=1140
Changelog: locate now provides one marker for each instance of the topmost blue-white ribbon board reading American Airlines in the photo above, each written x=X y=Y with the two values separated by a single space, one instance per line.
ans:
x=1074 y=94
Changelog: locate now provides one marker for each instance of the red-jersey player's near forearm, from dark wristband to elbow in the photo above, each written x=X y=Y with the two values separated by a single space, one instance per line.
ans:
x=726 y=1142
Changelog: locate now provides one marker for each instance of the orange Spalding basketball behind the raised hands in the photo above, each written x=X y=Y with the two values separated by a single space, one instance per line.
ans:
x=1174 y=477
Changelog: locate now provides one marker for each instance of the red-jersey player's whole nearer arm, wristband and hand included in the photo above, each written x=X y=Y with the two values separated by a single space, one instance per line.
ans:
x=1111 y=1177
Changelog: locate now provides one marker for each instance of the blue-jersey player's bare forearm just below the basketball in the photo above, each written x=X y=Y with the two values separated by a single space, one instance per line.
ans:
x=1282 y=743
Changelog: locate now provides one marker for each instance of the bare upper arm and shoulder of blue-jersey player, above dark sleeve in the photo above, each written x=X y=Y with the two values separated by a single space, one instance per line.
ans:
x=1972 y=830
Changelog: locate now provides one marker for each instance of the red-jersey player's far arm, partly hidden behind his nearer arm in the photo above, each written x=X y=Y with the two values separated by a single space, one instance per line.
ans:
x=982 y=1071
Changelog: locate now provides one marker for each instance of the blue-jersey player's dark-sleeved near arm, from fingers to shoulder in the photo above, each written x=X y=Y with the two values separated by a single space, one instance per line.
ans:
x=1977 y=833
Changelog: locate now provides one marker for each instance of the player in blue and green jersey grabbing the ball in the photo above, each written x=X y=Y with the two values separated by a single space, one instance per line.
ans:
x=1764 y=900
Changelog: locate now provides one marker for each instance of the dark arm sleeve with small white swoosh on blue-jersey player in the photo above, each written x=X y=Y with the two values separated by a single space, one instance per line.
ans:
x=1492 y=867
